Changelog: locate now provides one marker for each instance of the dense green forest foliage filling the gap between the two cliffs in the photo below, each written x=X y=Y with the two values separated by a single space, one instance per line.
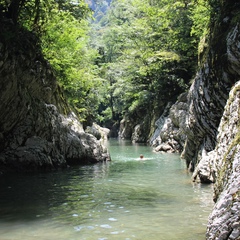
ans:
x=136 y=54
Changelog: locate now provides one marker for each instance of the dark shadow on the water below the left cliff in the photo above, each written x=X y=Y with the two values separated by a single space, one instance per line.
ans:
x=30 y=196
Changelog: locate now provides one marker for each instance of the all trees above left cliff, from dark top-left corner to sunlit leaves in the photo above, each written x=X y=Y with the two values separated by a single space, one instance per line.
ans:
x=62 y=28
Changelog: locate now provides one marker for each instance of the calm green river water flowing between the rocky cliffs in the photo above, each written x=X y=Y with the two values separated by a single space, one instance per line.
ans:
x=127 y=198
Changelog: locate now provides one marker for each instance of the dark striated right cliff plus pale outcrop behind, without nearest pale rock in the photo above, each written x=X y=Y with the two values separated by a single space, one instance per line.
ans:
x=201 y=113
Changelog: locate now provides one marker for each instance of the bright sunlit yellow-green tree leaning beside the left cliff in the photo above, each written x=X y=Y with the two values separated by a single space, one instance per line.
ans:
x=65 y=45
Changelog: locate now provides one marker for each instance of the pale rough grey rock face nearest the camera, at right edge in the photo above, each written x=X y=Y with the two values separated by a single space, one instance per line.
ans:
x=224 y=221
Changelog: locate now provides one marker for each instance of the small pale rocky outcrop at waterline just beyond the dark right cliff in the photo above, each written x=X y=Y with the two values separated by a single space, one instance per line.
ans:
x=169 y=135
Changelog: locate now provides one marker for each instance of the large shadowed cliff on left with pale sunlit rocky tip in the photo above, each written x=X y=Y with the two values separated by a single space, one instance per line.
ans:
x=38 y=130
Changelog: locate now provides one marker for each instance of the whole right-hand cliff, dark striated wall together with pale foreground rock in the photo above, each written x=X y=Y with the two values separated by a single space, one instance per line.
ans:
x=212 y=121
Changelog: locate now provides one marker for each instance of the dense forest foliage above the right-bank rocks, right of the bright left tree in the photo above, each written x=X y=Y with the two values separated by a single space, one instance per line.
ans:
x=148 y=52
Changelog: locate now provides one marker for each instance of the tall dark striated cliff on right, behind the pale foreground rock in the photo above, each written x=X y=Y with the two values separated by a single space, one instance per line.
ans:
x=219 y=70
